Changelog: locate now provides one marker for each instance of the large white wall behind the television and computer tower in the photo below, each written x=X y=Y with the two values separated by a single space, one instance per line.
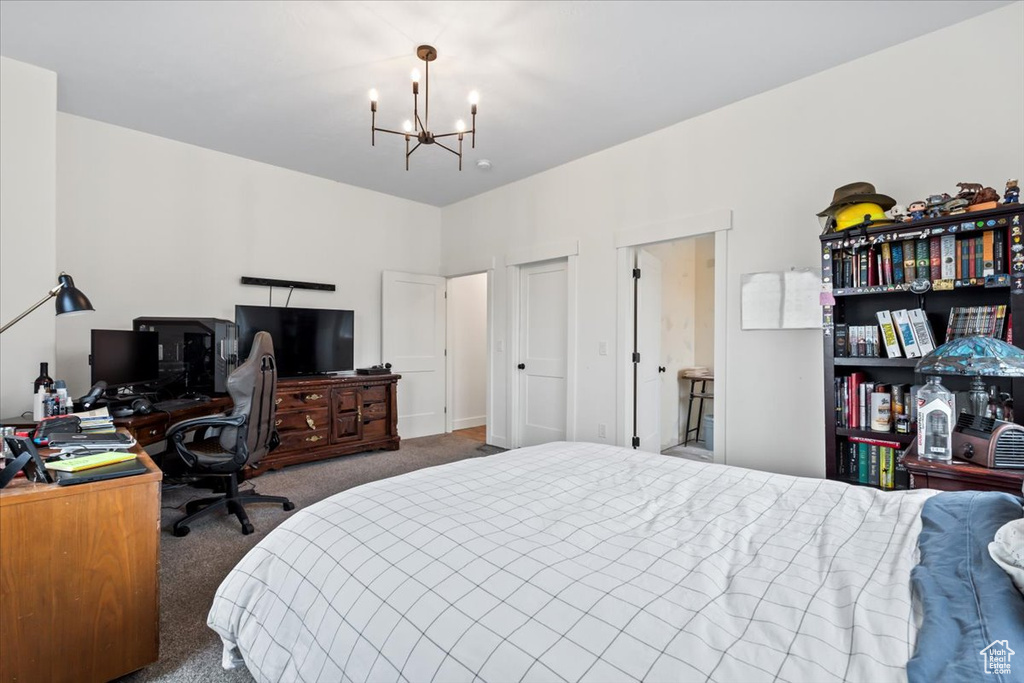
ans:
x=151 y=227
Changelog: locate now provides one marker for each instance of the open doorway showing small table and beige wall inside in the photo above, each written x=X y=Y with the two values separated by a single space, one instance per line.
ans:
x=674 y=365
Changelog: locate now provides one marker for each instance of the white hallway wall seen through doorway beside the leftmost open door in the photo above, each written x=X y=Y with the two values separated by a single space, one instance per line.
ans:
x=467 y=347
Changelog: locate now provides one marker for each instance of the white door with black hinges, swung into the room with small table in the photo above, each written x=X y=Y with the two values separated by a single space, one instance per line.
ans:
x=650 y=346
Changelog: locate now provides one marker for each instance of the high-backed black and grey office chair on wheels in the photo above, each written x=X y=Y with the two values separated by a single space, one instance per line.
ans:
x=246 y=436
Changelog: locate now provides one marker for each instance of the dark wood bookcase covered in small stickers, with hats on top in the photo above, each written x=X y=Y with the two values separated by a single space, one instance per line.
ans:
x=859 y=306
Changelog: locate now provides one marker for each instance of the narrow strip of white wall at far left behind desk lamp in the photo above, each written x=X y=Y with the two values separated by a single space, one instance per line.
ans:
x=28 y=230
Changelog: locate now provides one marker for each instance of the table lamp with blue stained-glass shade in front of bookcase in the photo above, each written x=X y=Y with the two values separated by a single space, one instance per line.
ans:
x=975 y=357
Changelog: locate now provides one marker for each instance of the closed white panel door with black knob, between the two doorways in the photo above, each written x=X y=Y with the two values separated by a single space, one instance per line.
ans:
x=543 y=352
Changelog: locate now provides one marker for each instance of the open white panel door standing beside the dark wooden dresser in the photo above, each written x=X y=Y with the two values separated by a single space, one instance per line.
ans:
x=413 y=341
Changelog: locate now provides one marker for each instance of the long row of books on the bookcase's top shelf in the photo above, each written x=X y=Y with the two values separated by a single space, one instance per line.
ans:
x=938 y=258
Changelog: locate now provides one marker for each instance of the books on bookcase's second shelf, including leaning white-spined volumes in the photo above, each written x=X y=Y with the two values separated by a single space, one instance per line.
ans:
x=899 y=333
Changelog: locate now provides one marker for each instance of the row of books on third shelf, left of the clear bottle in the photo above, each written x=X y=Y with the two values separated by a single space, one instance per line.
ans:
x=872 y=406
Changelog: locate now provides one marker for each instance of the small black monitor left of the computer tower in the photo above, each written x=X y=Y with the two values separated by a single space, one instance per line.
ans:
x=123 y=358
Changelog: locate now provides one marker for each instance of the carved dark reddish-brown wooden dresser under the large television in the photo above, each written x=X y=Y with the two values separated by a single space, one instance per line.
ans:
x=324 y=417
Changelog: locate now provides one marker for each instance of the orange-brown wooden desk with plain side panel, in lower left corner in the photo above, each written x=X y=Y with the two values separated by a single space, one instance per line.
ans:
x=80 y=578
